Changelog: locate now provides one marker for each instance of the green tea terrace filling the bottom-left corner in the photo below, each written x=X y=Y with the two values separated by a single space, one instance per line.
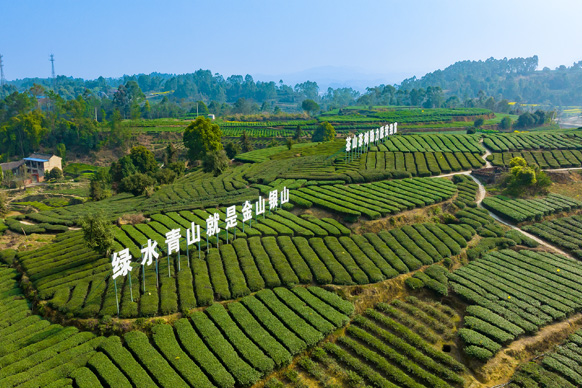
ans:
x=34 y=352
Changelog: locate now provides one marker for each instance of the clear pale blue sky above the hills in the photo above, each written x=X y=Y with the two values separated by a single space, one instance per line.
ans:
x=389 y=39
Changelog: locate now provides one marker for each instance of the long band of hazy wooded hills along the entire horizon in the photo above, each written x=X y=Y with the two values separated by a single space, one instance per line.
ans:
x=513 y=79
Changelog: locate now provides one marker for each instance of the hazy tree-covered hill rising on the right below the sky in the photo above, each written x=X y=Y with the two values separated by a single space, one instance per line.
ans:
x=514 y=79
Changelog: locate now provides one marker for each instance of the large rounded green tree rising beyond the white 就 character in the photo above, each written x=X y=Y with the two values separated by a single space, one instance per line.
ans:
x=202 y=136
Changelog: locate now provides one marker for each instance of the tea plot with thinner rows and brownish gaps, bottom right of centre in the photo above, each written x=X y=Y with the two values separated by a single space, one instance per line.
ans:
x=392 y=345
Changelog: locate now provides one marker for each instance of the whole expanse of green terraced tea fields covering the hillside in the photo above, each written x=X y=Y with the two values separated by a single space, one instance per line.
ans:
x=384 y=269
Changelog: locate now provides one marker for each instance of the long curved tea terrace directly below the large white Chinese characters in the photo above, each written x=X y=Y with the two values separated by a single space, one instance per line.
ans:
x=74 y=279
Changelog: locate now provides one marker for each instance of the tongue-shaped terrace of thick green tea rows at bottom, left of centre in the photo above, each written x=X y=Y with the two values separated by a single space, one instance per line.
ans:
x=224 y=346
